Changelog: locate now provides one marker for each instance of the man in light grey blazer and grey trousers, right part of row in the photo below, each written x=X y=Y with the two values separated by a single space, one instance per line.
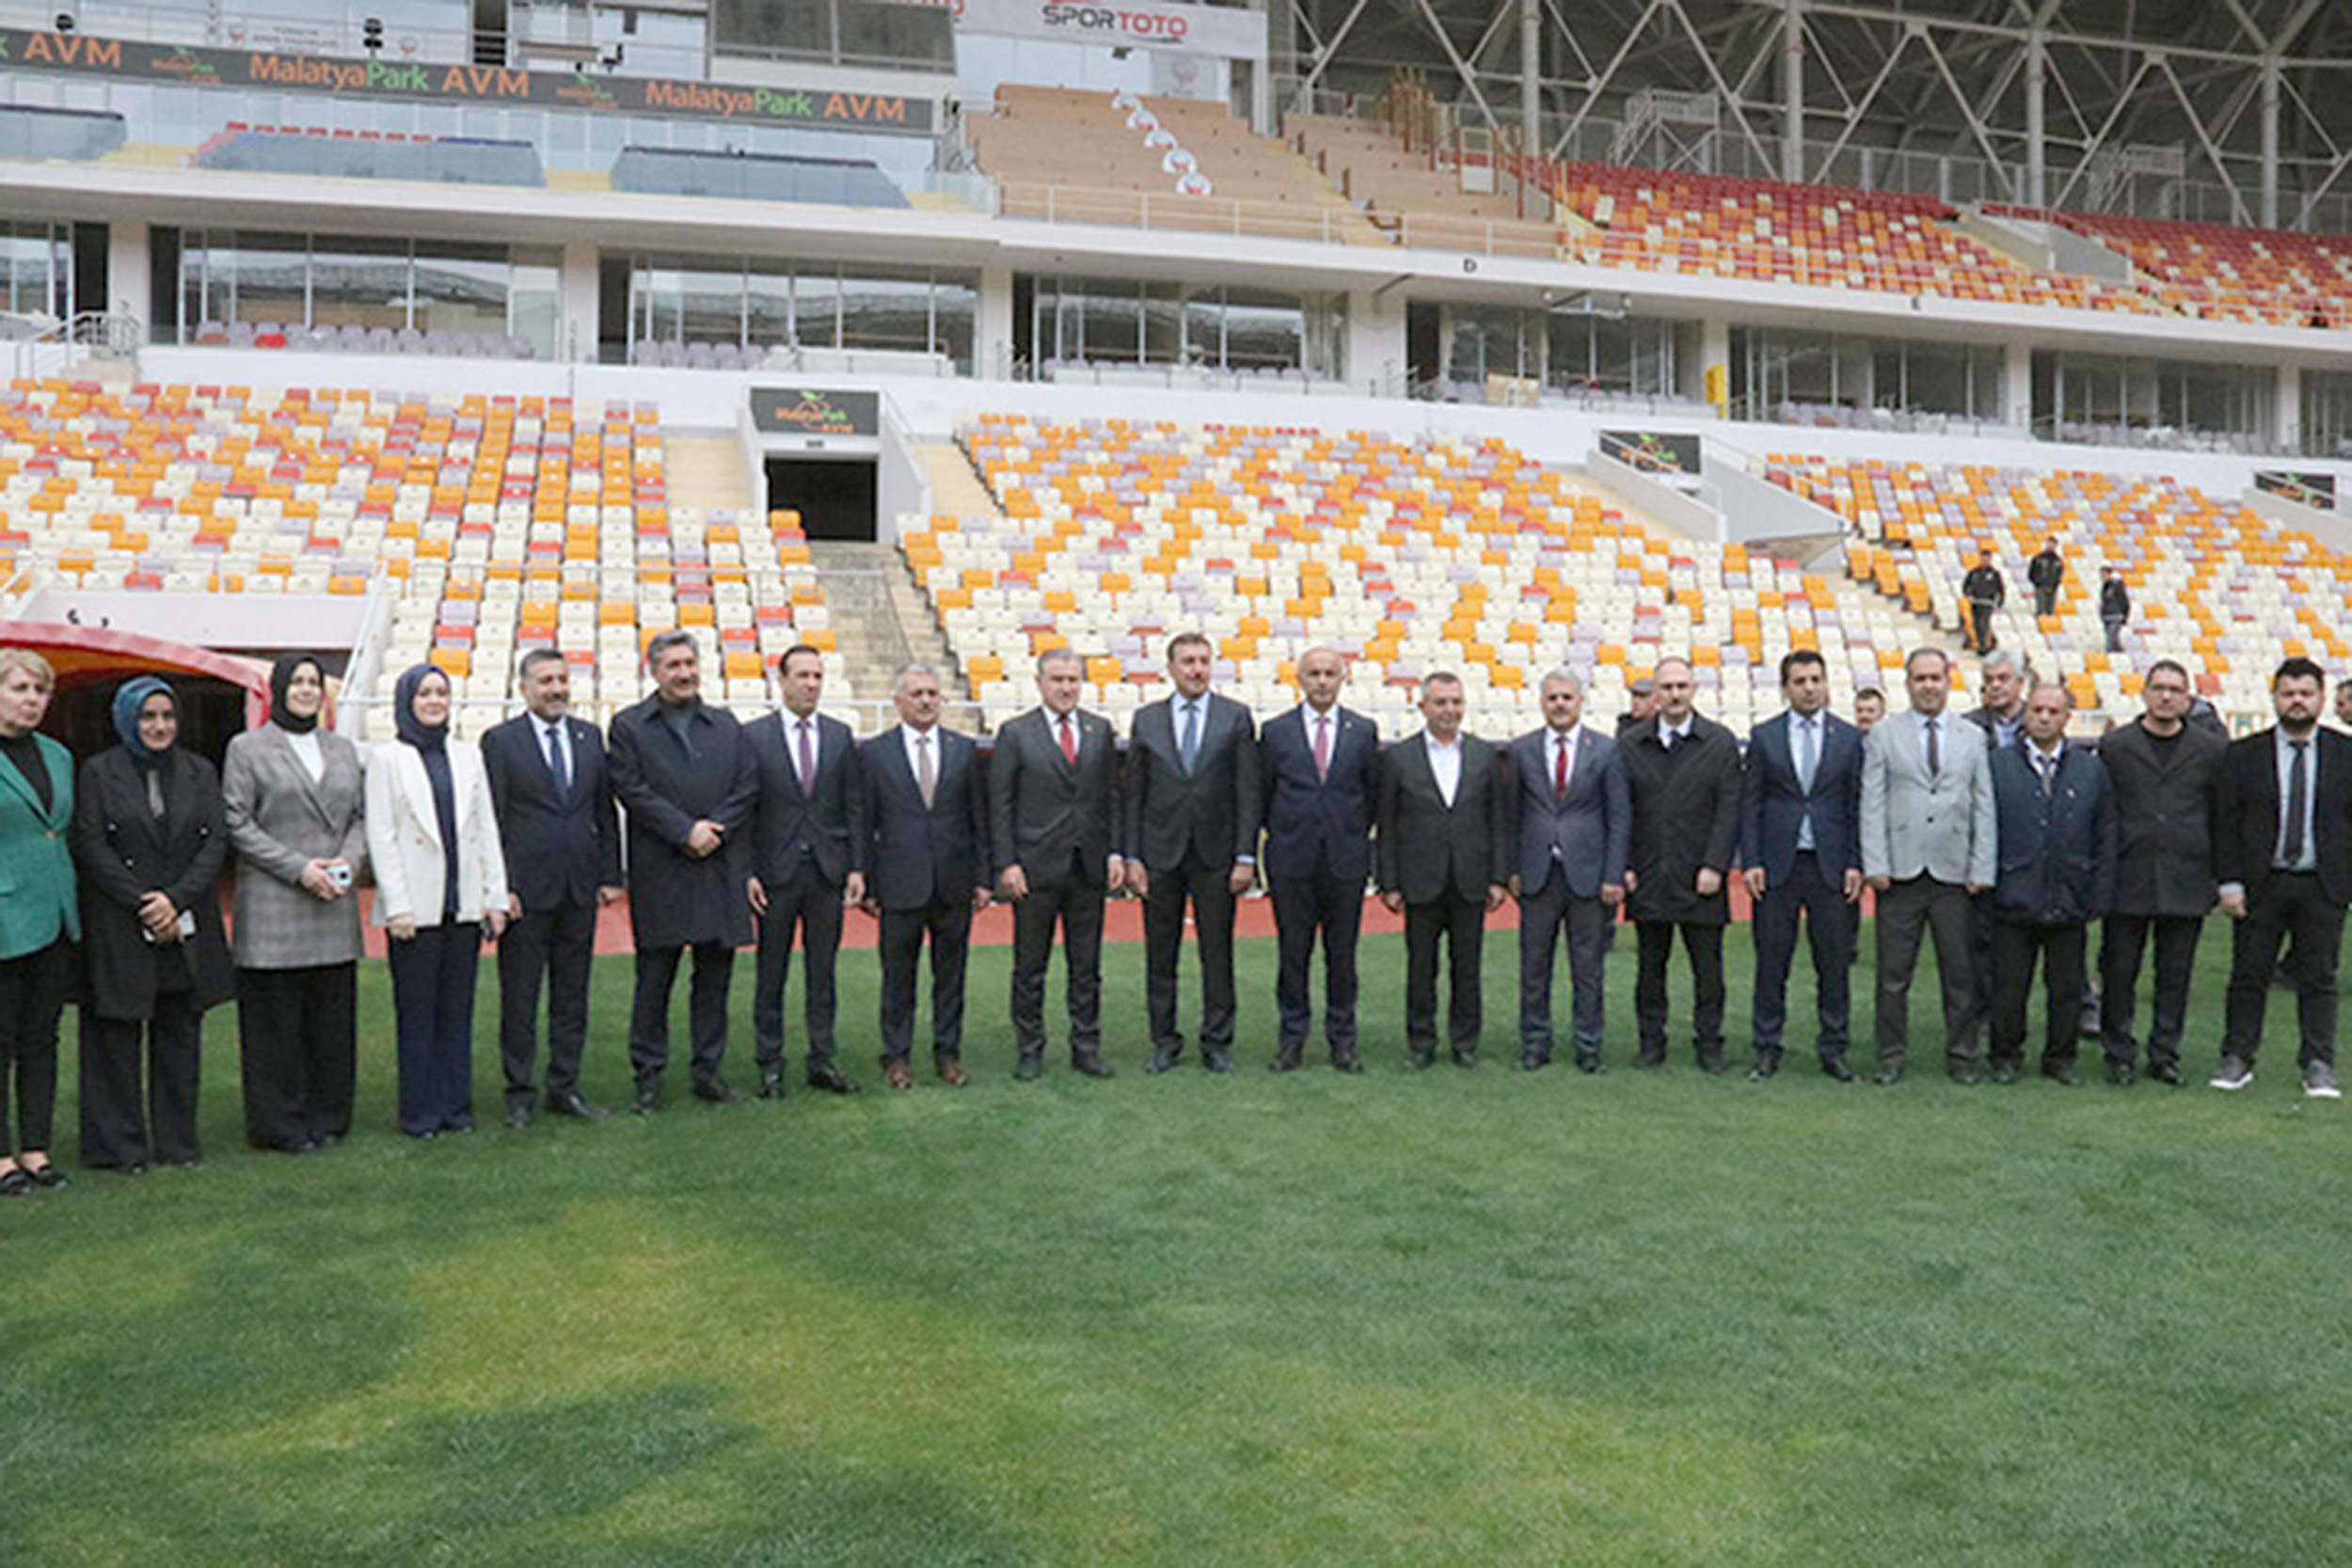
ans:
x=1930 y=845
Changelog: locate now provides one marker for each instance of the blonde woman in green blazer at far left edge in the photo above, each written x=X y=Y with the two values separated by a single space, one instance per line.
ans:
x=39 y=920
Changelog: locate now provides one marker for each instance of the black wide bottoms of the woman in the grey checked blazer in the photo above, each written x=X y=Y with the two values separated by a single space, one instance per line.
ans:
x=298 y=1038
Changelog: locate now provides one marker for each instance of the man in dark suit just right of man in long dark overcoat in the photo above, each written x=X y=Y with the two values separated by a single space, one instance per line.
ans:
x=806 y=864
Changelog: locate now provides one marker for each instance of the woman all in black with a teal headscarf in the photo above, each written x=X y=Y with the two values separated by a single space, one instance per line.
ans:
x=149 y=836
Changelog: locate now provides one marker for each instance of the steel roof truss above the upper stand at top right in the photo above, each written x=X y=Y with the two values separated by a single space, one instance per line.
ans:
x=2231 y=112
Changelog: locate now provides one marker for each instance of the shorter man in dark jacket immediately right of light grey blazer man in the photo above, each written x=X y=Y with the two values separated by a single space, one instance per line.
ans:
x=2057 y=852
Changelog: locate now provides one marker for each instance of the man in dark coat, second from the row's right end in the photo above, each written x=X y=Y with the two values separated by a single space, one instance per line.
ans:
x=2163 y=775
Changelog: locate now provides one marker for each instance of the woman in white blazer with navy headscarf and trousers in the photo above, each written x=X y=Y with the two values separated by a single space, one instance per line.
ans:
x=441 y=878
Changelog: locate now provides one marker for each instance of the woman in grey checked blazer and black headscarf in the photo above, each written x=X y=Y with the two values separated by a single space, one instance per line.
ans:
x=295 y=793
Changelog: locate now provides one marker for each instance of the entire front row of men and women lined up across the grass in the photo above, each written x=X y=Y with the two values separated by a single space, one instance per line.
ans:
x=1986 y=833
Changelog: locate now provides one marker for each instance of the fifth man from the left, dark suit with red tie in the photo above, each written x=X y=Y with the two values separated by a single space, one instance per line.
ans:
x=1055 y=817
